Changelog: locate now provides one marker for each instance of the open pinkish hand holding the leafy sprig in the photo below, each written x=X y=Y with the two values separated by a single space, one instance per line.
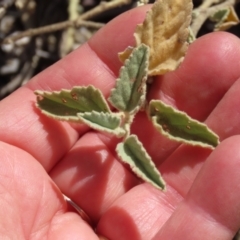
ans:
x=40 y=157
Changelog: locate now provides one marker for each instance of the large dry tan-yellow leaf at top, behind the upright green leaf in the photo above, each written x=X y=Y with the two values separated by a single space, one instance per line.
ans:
x=165 y=31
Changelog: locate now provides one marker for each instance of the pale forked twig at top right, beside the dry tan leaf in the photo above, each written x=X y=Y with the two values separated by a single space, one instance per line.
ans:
x=201 y=14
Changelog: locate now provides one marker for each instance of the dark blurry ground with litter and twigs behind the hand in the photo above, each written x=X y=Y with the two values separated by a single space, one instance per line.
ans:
x=30 y=40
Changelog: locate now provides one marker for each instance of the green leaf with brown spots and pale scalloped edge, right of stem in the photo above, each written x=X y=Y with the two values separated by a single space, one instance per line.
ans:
x=178 y=126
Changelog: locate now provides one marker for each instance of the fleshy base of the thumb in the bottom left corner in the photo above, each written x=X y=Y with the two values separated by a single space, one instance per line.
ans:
x=31 y=206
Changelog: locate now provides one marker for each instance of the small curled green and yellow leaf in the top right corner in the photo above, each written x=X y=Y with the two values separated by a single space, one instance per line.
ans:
x=225 y=18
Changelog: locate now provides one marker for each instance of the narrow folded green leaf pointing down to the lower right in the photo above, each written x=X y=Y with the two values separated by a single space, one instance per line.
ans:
x=132 y=152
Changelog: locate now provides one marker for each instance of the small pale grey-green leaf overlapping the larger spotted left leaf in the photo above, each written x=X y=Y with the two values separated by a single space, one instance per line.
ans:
x=105 y=122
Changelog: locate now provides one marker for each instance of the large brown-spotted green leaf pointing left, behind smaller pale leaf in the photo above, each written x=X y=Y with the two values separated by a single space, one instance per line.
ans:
x=66 y=104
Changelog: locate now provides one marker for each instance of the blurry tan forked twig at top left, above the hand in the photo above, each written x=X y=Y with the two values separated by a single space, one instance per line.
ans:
x=103 y=6
